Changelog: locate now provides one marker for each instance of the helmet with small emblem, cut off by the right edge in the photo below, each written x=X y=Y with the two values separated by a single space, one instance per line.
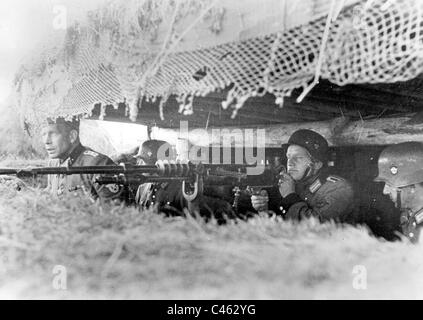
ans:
x=401 y=165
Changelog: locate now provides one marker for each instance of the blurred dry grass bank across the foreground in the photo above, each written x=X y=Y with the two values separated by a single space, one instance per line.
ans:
x=117 y=252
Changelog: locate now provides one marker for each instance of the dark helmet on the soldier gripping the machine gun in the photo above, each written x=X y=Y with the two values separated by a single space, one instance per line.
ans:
x=313 y=142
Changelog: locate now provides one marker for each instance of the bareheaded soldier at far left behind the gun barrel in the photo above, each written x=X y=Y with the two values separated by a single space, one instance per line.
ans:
x=61 y=141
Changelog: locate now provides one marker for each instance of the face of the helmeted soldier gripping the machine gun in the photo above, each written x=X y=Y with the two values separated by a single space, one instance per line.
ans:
x=299 y=161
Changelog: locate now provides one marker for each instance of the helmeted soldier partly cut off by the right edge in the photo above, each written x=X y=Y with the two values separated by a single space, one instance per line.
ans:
x=401 y=169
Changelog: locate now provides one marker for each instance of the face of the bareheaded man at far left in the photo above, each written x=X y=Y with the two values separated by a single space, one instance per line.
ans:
x=57 y=141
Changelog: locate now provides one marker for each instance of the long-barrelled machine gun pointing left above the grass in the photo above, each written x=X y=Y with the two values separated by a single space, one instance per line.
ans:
x=193 y=176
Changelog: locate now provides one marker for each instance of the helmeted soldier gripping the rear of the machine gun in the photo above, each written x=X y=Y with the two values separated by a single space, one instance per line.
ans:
x=306 y=189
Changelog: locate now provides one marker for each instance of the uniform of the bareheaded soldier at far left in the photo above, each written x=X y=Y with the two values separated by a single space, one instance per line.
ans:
x=82 y=183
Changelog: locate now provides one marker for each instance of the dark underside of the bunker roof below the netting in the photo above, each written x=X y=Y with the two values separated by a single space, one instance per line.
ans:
x=324 y=102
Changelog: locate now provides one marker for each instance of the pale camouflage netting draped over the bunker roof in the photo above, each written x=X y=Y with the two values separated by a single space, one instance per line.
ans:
x=105 y=60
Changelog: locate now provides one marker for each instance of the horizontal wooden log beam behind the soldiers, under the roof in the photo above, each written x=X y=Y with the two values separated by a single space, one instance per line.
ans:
x=339 y=132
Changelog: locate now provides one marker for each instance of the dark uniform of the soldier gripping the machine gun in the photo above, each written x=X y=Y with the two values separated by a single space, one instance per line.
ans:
x=326 y=198
